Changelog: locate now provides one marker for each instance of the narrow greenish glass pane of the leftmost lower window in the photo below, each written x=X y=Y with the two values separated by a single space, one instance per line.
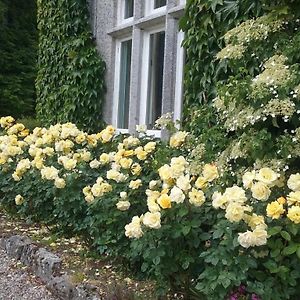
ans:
x=124 y=86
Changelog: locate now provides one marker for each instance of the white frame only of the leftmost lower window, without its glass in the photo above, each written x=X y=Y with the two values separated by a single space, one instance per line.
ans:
x=117 y=84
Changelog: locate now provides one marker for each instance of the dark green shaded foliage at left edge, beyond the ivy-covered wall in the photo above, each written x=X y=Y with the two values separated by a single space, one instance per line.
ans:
x=18 y=55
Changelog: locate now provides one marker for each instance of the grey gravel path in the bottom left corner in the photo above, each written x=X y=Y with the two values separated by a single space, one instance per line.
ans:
x=17 y=284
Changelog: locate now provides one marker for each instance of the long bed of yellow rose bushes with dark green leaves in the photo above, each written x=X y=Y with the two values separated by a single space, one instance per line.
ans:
x=143 y=200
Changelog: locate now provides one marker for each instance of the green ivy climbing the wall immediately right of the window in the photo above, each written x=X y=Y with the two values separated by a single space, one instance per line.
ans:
x=205 y=23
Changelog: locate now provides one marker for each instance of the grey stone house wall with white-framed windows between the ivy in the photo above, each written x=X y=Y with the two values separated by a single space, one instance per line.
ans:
x=141 y=44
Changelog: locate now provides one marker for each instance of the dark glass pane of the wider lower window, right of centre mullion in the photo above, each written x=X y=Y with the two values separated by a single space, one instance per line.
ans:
x=155 y=83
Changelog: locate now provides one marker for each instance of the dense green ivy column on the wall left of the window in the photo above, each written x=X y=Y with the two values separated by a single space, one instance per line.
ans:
x=70 y=82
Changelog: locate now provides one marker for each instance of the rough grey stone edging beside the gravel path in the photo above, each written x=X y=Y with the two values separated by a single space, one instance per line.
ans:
x=48 y=267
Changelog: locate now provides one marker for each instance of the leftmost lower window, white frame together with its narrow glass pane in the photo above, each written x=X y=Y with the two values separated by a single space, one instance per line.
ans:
x=122 y=83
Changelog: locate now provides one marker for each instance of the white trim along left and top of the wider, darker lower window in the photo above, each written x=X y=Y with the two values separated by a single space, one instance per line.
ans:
x=145 y=77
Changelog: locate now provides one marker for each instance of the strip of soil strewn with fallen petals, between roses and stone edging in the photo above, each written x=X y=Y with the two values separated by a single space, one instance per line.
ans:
x=103 y=272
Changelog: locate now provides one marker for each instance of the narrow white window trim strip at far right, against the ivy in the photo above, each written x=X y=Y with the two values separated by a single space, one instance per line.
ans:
x=179 y=77
